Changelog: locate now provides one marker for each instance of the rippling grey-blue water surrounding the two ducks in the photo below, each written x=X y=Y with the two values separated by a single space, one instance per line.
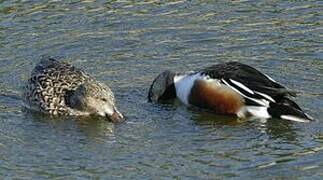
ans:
x=127 y=44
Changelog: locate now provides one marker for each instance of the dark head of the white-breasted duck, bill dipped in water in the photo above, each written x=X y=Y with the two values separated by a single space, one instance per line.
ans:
x=163 y=87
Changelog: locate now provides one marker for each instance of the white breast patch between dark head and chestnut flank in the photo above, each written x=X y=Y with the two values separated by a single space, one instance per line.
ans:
x=184 y=84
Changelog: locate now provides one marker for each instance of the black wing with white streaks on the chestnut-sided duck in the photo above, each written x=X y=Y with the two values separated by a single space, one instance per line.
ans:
x=248 y=81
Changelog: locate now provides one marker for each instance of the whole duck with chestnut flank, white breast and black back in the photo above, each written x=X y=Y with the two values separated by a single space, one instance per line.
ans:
x=229 y=88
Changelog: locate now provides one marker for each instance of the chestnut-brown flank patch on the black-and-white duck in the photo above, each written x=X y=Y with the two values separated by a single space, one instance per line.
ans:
x=218 y=98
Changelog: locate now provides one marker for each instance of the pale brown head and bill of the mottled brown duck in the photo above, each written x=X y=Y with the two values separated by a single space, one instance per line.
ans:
x=94 y=98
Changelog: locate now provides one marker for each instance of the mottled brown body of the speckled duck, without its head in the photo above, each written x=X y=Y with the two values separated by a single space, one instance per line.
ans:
x=50 y=80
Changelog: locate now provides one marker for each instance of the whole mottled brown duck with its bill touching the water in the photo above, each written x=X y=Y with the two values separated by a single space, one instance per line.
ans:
x=58 y=88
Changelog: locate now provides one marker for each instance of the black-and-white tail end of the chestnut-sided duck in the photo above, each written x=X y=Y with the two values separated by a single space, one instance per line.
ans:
x=285 y=109
